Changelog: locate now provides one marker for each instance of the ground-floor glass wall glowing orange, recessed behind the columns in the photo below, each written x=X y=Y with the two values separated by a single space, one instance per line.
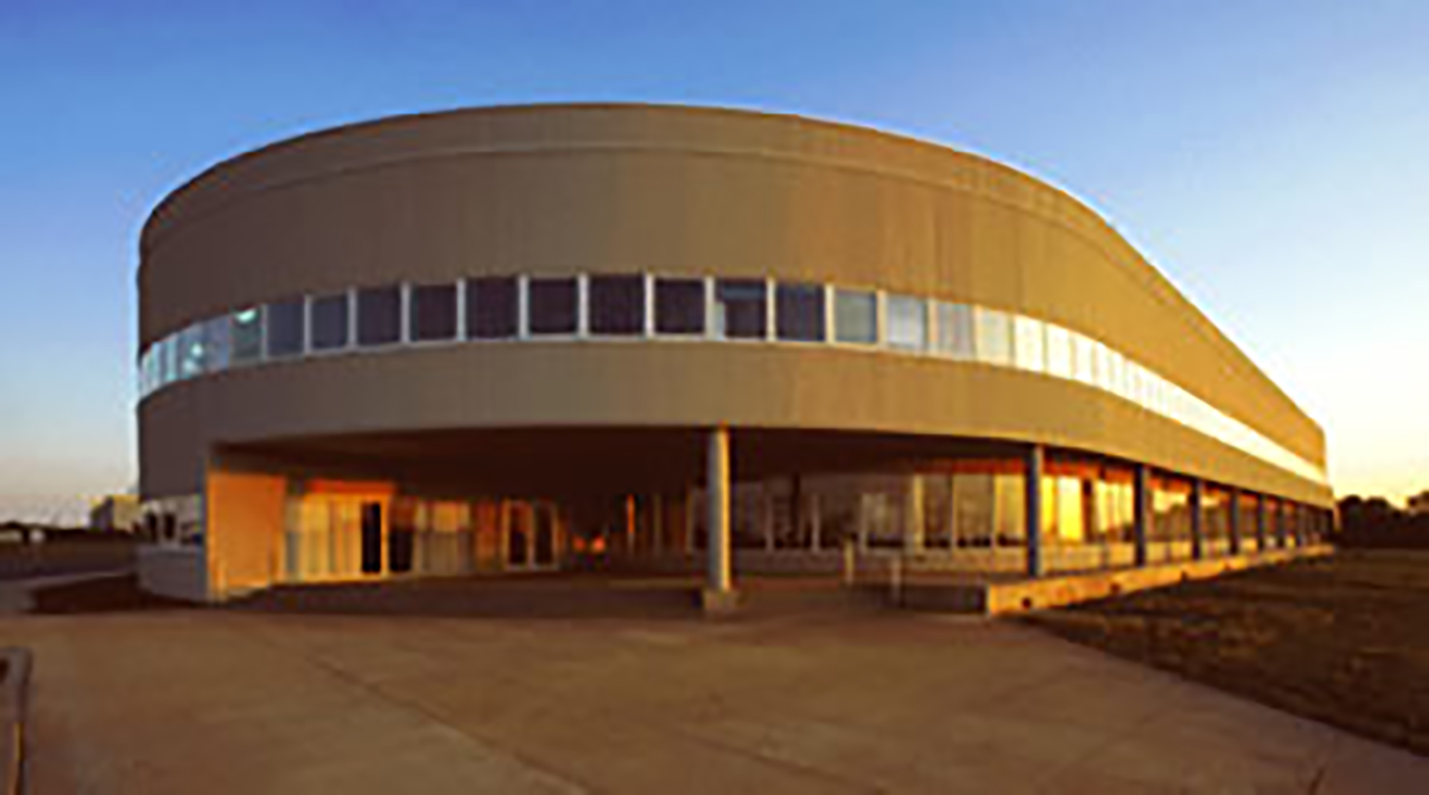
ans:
x=968 y=514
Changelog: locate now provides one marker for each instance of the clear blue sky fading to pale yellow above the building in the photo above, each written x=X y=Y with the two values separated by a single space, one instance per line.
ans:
x=1271 y=158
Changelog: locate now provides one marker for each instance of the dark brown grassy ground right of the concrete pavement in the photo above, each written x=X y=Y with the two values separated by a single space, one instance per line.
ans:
x=1343 y=640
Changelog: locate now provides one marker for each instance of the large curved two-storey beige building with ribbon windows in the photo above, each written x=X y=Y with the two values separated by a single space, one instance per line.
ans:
x=684 y=340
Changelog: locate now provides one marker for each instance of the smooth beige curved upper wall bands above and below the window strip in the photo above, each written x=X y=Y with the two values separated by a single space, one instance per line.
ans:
x=674 y=191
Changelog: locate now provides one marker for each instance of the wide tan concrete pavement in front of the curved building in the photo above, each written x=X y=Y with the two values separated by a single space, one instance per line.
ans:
x=225 y=701
